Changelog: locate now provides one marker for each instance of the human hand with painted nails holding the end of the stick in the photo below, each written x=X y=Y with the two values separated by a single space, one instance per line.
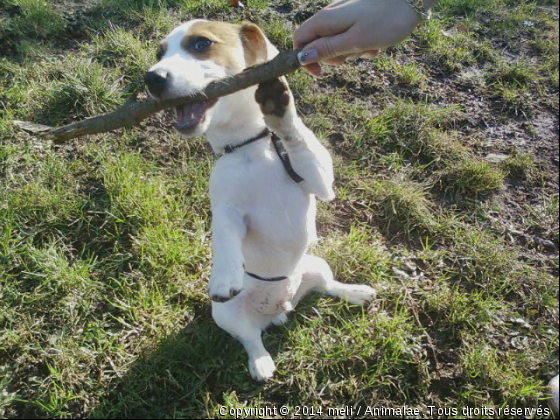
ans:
x=349 y=29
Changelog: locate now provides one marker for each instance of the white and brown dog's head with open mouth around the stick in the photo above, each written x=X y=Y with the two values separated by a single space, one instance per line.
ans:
x=197 y=53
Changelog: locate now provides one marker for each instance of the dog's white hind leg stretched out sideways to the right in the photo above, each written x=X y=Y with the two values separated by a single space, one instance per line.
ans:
x=318 y=277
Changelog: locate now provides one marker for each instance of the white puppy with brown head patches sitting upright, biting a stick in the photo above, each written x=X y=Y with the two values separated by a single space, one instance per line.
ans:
x=262 y=188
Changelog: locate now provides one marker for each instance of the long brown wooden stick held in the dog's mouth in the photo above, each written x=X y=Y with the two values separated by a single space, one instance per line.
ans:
x=132 y=113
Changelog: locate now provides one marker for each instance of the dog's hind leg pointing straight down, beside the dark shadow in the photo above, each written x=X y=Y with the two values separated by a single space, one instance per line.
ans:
x=245 y=325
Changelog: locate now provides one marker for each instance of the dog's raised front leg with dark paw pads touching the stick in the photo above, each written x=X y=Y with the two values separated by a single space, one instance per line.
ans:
x=310 y=159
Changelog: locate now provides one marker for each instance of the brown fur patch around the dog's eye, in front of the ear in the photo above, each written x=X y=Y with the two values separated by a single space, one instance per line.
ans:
x=224 y=47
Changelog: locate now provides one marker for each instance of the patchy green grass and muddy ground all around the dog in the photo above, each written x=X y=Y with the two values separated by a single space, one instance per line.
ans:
x=105 y=243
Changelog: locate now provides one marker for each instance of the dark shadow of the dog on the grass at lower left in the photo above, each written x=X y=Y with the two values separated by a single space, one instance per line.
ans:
x=180 y=376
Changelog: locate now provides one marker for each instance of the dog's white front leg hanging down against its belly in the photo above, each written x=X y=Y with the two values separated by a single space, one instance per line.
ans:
x=228 y=231
